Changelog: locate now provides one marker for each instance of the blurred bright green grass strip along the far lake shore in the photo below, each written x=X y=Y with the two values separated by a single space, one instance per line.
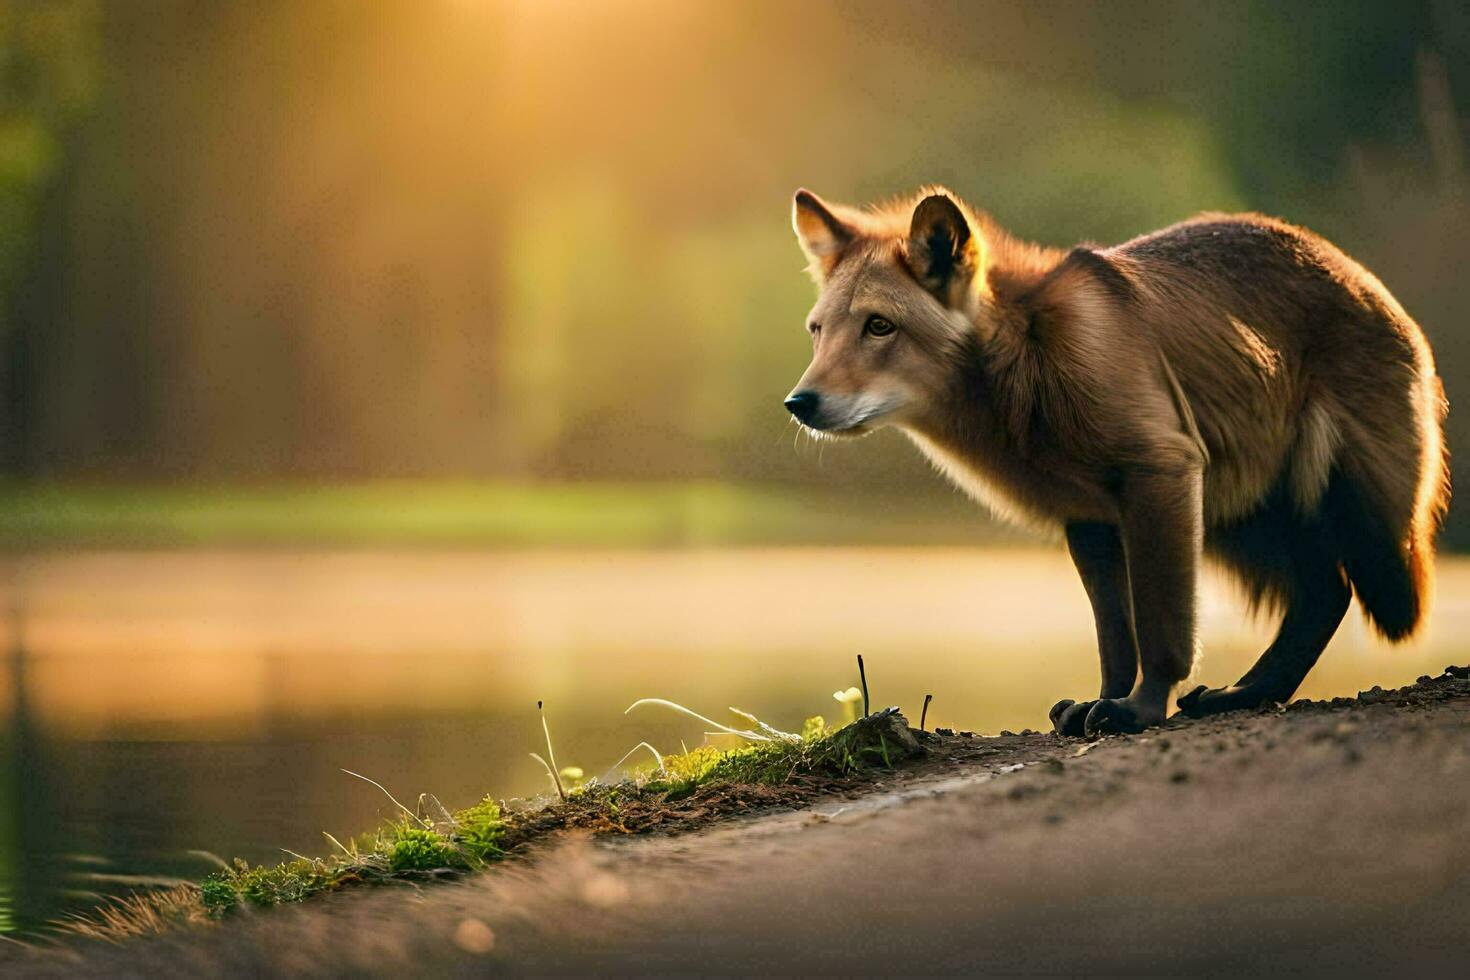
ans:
x=414 y=514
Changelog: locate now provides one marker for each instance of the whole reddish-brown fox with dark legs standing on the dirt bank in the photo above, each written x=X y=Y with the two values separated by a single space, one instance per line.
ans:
x=1231 y=387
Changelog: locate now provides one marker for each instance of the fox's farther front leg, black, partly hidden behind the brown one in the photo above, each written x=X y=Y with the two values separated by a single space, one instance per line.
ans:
x=1097 y=552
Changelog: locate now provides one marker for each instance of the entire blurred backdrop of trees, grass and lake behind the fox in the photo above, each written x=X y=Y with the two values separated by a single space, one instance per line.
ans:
x=370 y=371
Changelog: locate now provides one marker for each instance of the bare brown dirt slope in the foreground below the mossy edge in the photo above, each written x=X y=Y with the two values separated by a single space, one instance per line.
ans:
x=1322 y=838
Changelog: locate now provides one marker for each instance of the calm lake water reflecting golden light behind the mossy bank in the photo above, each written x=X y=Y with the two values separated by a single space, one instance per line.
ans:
x=159 y=707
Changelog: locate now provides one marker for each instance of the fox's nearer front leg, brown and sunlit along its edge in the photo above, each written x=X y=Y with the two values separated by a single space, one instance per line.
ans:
x=1164 y=536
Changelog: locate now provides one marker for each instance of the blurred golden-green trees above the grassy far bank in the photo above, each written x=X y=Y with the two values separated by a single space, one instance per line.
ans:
x=551 y=240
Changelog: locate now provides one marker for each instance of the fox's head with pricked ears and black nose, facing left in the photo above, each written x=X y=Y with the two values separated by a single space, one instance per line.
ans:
x=902 y=298
